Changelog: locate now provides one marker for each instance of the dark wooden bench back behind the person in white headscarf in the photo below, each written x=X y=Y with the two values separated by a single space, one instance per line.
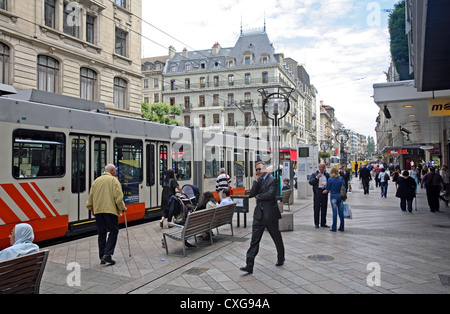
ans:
x=23 y=275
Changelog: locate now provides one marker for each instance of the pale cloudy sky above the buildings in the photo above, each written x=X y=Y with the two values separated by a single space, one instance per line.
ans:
x=344 y=44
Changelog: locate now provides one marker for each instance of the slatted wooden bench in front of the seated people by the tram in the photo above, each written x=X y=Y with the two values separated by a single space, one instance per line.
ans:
x=200 y=222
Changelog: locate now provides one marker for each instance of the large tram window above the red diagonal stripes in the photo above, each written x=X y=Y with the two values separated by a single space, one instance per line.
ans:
x=38 y=154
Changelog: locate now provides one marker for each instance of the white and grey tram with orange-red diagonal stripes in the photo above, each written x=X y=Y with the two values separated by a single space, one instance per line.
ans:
x=54 y=147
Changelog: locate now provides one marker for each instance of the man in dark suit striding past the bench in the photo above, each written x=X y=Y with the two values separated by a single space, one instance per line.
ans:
x=266 y=215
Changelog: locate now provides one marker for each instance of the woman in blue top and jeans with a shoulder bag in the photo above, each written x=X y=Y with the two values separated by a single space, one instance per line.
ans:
x=333 y=187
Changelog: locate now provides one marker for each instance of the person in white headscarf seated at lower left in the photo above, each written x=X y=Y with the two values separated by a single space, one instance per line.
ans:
x=21 y=239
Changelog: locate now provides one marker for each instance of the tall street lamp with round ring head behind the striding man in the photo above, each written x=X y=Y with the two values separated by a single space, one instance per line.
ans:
x=276 y=106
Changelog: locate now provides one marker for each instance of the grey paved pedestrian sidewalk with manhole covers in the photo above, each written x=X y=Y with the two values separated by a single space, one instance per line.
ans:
x=411 y=252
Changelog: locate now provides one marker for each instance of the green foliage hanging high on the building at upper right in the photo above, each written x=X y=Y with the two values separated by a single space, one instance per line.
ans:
x=399 y=39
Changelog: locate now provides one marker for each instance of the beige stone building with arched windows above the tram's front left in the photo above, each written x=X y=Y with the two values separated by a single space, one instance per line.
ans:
x=88 y=49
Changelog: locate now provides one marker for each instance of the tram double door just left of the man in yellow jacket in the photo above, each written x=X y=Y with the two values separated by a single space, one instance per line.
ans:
x=79 y=178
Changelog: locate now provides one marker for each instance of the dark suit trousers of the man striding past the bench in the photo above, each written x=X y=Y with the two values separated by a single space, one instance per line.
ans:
x=259 y=225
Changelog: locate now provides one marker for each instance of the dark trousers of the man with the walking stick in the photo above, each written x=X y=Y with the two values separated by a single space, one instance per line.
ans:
x=105 y=223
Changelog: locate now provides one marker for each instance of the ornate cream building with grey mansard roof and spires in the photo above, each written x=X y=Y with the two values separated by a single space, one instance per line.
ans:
x=218 y=89
